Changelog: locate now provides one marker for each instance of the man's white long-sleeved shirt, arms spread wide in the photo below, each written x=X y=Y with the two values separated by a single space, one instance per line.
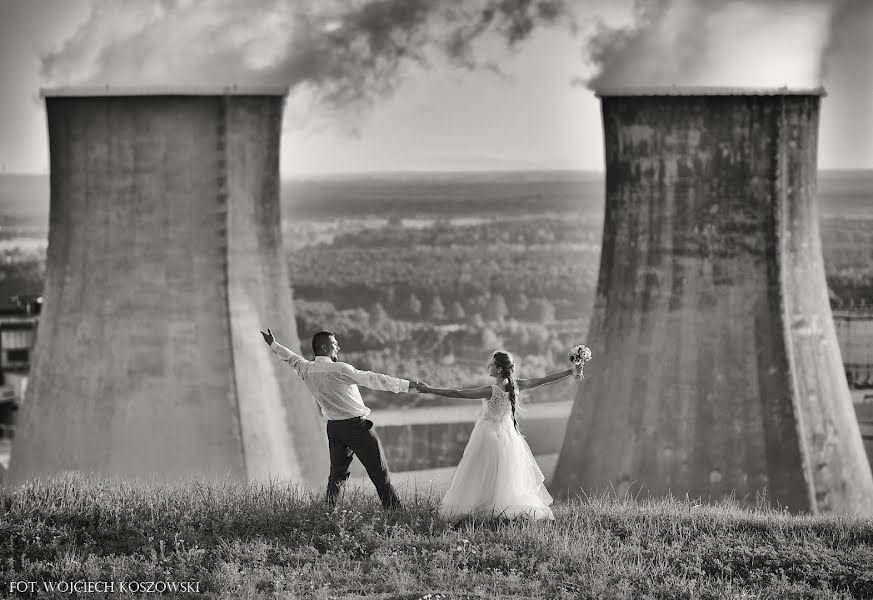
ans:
x=335 y=384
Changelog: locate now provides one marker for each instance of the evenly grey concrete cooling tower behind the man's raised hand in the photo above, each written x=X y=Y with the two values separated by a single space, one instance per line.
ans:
x=164 y=260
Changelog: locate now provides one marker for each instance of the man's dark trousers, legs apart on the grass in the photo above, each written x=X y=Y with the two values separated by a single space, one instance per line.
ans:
x=353 y=437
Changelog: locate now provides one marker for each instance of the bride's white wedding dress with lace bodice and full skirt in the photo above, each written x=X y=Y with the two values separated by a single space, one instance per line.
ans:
x=497 y=476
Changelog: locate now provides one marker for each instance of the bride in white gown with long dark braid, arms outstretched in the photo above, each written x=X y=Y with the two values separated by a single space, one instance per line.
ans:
x=497 y=476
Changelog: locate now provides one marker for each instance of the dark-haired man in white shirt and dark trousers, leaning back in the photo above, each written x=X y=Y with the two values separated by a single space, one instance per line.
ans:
x=335 y=387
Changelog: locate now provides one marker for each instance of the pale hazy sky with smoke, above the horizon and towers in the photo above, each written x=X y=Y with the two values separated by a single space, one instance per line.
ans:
x=534 y=111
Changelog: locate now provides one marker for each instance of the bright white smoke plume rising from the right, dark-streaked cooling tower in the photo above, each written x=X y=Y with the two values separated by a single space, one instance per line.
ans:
x=731 y=43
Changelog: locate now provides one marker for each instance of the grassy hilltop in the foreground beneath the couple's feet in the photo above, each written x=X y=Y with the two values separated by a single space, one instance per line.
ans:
x=268 y=541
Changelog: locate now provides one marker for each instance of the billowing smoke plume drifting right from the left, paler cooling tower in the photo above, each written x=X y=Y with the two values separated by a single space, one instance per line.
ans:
x=344 y=54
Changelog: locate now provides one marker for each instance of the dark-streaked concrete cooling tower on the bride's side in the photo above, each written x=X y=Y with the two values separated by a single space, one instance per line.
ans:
x=716 y=368
